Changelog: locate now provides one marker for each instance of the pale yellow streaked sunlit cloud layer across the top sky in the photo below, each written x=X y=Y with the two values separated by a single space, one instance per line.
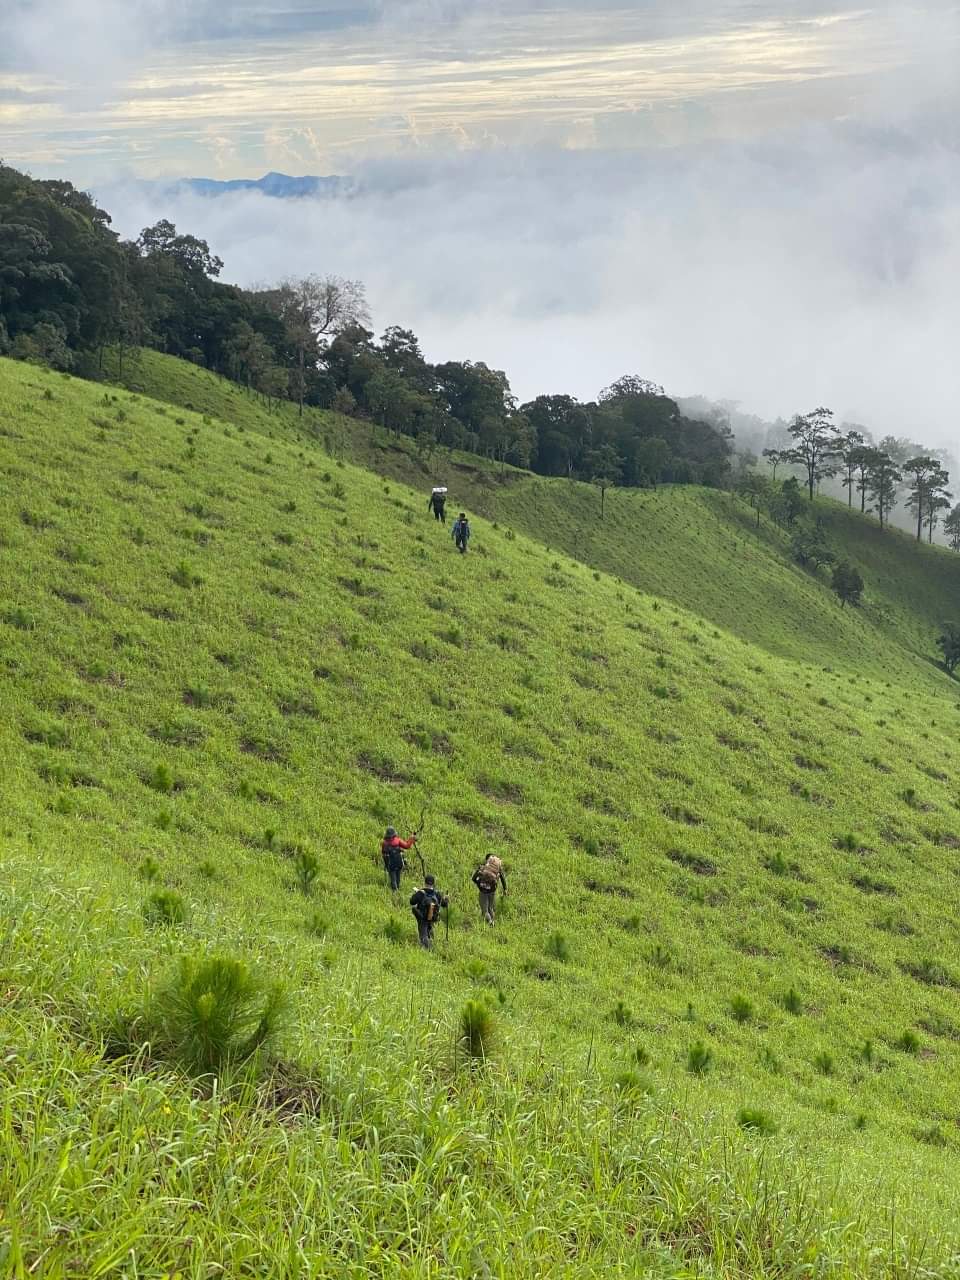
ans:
x=455 y=74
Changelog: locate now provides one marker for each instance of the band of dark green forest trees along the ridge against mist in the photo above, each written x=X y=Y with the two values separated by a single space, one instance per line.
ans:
x=72 y=290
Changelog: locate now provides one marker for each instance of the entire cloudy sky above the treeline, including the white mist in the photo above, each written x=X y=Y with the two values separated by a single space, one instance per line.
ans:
x=747 y=200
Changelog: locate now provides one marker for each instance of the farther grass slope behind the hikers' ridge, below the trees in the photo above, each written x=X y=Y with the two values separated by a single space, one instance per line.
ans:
x=696 y=547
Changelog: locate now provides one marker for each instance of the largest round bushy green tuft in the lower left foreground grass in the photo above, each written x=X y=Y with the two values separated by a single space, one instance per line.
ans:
x=217 y=1012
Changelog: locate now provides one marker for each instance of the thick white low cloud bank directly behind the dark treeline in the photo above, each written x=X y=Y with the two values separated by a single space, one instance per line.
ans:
x=819 y=269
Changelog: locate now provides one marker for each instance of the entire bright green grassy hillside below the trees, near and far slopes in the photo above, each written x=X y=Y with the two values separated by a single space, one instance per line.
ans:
x=724 y=982
